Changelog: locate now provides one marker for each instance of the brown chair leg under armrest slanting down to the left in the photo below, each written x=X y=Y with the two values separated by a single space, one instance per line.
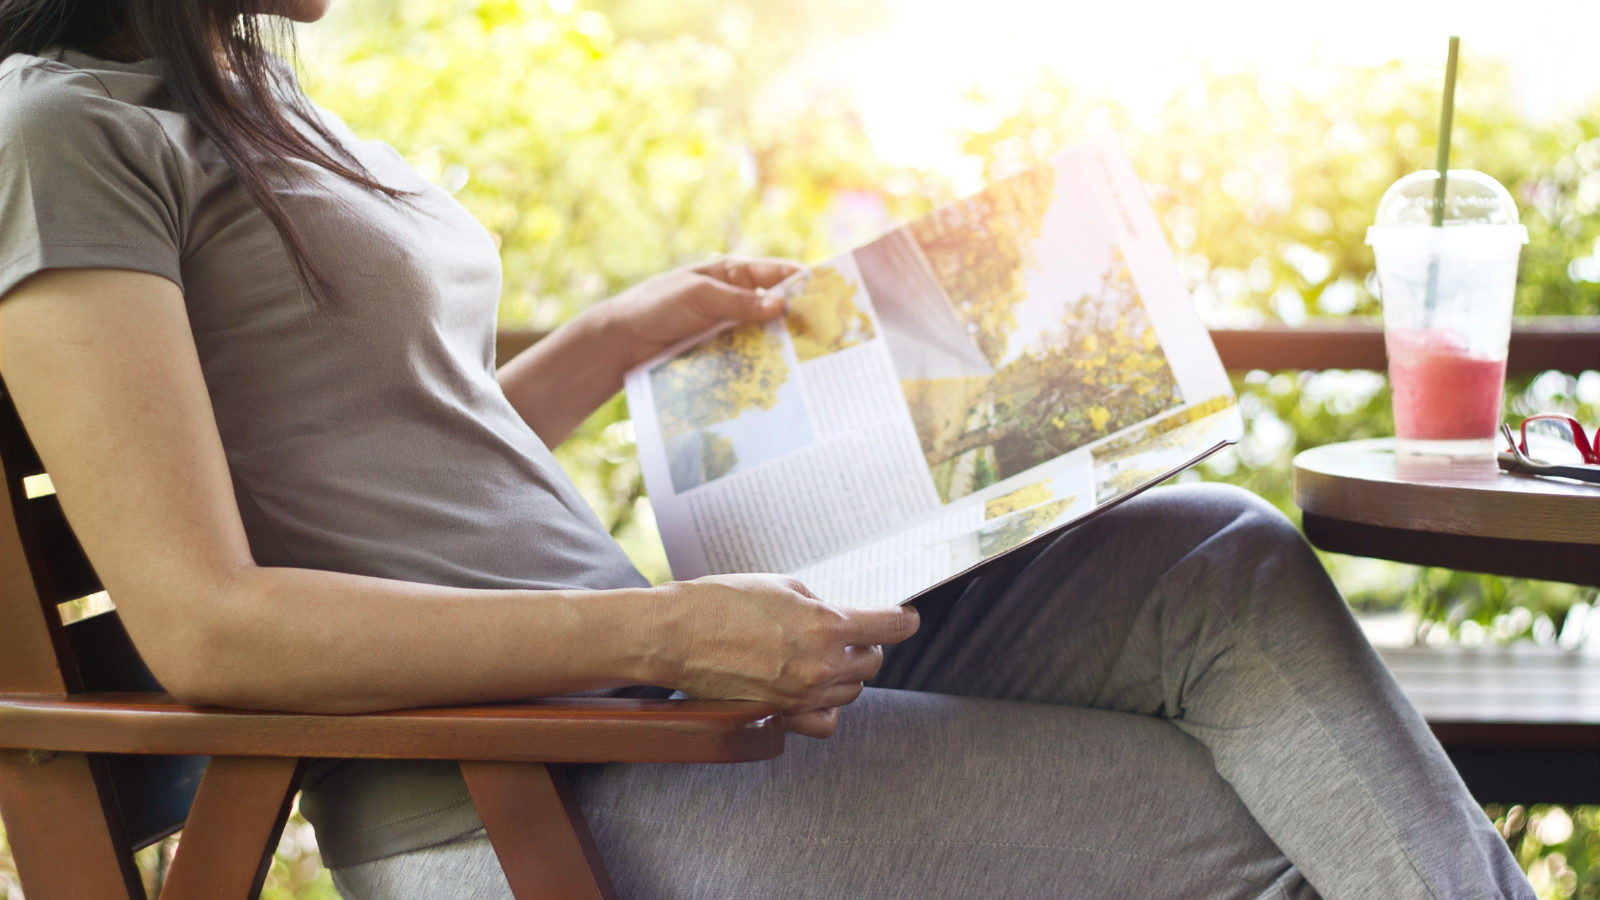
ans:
x=234 y=829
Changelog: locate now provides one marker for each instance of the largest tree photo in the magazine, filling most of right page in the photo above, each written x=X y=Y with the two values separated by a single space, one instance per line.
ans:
x=1015 y=327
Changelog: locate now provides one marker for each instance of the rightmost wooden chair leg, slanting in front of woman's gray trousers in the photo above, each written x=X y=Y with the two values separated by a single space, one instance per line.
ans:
x=538 y=832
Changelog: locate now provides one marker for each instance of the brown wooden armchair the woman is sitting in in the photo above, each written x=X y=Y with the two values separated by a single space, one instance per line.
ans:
x=97 y=761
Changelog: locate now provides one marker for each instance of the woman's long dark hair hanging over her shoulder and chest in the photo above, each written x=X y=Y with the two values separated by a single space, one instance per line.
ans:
x=220 y=66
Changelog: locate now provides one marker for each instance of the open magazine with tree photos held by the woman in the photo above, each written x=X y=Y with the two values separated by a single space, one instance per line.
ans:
x=966 y=385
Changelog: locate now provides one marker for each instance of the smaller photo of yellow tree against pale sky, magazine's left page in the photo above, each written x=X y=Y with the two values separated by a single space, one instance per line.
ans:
x=729 y=404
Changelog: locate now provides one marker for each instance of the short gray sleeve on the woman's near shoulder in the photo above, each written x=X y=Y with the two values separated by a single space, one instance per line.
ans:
x=87 y=182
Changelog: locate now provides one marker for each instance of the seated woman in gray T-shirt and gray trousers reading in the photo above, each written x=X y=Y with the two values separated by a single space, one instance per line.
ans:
x=257 y=356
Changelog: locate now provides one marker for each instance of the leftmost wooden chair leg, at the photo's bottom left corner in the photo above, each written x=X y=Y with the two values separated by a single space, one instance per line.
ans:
x=65 y=840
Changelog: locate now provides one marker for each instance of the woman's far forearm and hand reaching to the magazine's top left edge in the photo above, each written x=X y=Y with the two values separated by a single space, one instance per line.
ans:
x=558 y=384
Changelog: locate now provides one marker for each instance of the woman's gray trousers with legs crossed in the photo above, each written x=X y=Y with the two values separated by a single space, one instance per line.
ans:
x=1172 y=701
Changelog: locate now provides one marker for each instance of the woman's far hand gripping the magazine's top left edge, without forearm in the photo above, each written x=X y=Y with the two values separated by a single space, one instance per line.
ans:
x=662 y=311
